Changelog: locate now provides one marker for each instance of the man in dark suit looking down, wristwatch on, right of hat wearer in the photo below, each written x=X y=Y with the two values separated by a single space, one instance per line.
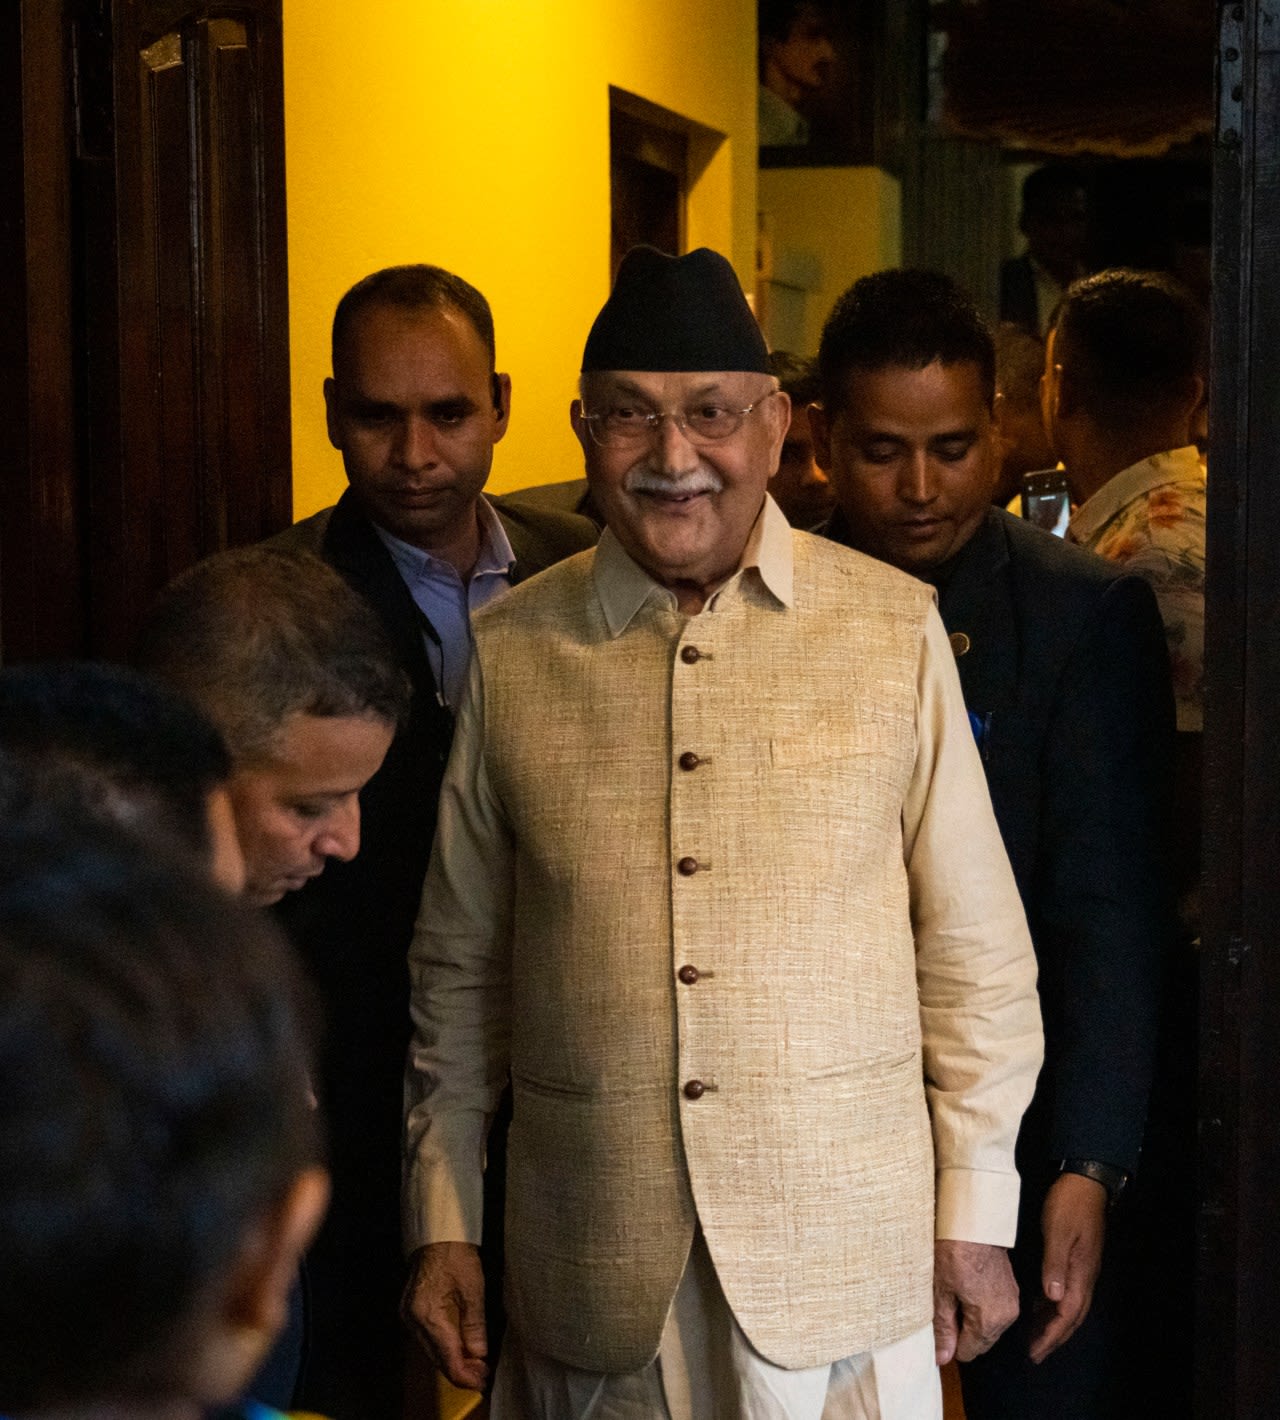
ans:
x=1068 y=687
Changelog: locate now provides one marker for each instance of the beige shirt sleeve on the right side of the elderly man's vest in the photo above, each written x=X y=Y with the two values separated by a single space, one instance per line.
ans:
x=975 y=965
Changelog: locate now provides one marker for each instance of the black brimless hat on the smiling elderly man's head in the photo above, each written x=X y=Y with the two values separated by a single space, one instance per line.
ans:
x=676 y=315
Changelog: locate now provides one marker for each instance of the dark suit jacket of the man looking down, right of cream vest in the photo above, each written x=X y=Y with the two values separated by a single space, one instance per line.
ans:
x=1068 y=682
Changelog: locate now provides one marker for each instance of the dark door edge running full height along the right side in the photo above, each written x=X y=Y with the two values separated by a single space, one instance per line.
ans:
x=1240 y=1282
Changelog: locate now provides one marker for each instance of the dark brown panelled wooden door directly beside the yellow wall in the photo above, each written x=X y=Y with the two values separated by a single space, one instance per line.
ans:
x=200 y=226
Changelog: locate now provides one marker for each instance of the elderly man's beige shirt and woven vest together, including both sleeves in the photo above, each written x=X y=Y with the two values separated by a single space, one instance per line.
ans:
x=815 y=685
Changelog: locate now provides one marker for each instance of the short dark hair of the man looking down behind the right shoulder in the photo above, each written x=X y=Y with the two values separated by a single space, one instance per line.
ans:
x=907 y=319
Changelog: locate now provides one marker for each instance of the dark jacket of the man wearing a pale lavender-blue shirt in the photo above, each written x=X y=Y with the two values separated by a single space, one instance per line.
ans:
x=353 y=927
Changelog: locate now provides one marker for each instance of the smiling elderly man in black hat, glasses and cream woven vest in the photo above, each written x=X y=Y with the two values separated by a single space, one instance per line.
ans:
x=718 y=883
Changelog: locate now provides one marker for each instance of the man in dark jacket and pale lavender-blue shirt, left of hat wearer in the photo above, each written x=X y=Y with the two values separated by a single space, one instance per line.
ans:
x=416 y=405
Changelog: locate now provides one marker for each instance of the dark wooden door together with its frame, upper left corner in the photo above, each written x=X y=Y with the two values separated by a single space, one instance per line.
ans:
x=90 y=523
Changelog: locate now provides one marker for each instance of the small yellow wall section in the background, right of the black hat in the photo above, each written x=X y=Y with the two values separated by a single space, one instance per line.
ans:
x=822 y=229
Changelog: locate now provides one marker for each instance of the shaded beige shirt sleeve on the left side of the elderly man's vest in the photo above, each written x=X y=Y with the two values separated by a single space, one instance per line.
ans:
x=460 y=996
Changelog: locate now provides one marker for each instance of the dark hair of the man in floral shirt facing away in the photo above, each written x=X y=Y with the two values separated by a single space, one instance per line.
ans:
x=1129 y=344
